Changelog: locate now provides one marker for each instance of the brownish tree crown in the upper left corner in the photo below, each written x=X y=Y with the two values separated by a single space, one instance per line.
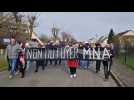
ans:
x=12 y=24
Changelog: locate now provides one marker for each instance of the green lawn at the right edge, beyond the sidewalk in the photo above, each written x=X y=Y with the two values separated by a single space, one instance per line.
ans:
x=129 y=60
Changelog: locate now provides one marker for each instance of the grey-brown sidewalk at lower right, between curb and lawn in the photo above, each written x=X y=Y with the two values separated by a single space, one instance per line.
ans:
x=124 y=73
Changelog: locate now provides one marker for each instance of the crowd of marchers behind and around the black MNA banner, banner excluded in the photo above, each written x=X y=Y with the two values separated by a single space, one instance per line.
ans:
x=15 y=54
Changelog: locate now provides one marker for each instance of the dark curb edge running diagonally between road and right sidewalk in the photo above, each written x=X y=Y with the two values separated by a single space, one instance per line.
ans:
x=117 y=80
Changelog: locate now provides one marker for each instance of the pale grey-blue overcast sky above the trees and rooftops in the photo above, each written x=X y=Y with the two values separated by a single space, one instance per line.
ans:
x=84 y=25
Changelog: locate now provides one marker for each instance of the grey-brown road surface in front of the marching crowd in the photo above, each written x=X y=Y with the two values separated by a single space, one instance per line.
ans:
x=57 y=76
